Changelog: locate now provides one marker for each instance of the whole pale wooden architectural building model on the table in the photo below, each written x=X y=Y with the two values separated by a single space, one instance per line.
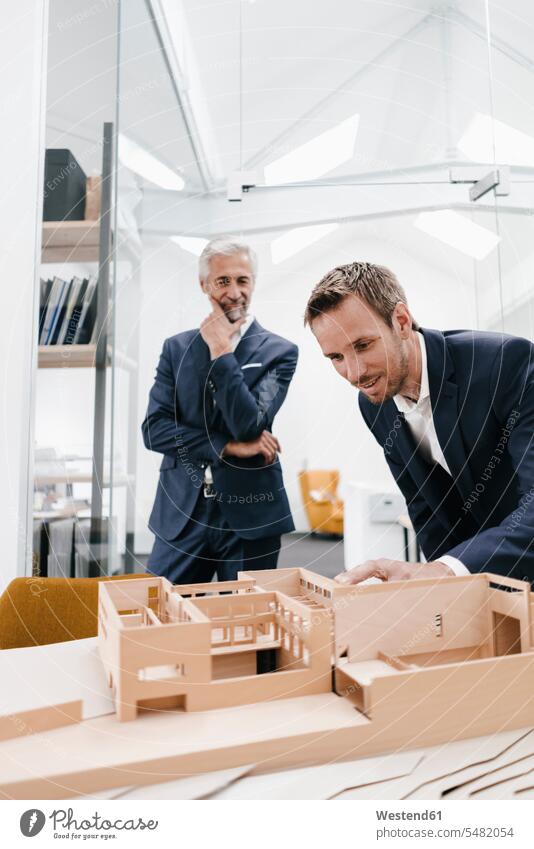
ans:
x=276 y=670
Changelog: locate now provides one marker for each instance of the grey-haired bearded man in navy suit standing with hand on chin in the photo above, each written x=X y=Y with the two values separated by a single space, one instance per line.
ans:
x=220 y=503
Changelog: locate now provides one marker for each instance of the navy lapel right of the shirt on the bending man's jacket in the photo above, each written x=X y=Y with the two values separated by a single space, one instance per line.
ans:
x=445 y=412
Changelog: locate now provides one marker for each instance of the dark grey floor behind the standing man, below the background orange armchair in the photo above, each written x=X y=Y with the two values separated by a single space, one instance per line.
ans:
x=323 y=555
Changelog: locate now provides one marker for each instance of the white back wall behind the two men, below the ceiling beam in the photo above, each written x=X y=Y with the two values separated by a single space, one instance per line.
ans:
x=319 y=424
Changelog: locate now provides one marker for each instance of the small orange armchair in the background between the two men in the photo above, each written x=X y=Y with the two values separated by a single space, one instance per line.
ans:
x=323 y=508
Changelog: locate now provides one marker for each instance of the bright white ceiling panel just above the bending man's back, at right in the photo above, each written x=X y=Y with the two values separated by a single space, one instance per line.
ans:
x=458 y=231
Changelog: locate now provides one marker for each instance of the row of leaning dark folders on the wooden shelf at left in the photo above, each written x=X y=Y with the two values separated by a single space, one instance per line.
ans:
x=67 y=312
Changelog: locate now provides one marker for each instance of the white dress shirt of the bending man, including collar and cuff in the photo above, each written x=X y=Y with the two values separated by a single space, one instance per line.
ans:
x=418 y=417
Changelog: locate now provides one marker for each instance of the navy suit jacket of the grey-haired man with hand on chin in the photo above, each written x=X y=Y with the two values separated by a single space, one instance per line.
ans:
x=195 y=407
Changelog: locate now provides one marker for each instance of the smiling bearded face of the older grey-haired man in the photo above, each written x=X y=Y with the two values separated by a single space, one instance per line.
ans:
x=230 y=282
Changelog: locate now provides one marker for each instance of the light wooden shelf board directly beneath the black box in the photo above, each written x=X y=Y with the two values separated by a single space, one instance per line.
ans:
x=70 y=241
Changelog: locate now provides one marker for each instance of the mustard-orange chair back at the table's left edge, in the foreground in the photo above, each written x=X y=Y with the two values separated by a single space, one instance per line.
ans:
x=39 y=611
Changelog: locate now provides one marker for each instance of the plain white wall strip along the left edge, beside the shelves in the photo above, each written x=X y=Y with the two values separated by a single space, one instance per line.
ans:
x=23 y=55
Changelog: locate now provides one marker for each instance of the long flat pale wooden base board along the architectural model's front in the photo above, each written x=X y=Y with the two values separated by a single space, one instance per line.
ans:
x=103 y=753
